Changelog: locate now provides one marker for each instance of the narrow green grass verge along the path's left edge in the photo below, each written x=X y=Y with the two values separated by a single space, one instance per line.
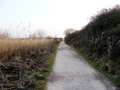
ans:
x=41 y=79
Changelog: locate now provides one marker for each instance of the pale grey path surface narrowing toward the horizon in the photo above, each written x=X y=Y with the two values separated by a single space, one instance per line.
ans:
x=72 y=72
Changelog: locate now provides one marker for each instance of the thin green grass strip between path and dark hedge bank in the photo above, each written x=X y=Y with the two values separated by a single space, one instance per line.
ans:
x=99 y=67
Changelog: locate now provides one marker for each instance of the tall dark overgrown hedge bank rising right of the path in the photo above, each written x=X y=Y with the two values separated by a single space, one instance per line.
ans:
x=100 y=41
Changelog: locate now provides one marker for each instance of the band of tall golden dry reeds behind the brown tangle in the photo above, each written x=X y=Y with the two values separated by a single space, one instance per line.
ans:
x=17 y=46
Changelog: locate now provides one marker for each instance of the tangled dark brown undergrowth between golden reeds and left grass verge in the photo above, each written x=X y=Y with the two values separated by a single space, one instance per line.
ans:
x=20 y=67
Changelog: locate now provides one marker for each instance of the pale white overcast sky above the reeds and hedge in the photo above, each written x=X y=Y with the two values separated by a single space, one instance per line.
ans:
x=53 y=16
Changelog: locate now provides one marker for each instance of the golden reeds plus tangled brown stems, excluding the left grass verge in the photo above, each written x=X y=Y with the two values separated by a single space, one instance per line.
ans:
x=20 y=58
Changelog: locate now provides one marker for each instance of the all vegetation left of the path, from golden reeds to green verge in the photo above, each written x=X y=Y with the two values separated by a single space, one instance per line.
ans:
x=25 y=62
